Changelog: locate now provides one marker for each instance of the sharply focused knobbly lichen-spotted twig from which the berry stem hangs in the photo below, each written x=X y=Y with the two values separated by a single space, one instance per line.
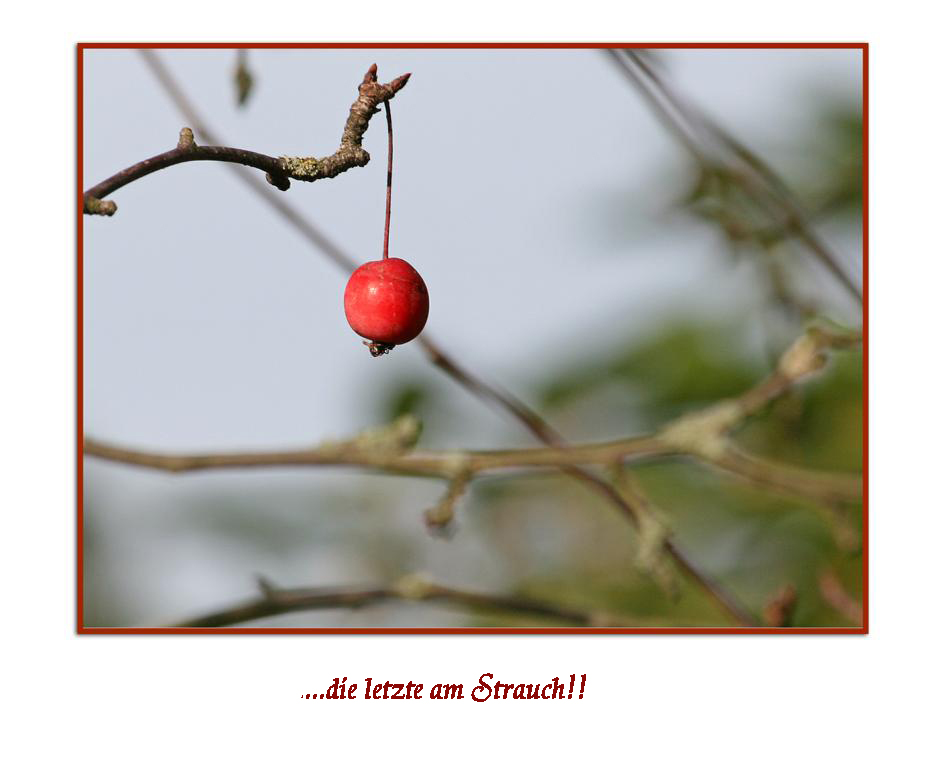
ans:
x=279 y=170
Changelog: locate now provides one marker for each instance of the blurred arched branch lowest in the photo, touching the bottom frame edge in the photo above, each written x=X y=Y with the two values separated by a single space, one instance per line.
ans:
x=274 y=601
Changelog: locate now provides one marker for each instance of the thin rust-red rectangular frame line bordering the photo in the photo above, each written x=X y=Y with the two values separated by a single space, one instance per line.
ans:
x=83 y=630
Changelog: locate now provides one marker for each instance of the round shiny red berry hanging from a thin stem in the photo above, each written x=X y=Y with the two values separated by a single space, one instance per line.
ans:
x=386 y=301
